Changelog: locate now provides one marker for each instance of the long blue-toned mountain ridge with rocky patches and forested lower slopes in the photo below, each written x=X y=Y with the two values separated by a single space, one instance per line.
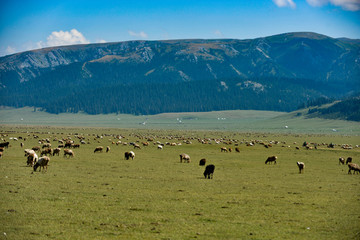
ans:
x=147 y=77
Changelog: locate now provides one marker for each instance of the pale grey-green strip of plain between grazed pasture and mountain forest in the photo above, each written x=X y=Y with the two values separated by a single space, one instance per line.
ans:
x=237 y=120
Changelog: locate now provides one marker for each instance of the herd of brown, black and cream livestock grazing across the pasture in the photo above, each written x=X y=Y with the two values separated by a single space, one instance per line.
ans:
x=68 y=145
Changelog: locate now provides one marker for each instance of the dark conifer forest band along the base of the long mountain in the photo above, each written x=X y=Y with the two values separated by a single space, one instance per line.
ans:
x=275 y=94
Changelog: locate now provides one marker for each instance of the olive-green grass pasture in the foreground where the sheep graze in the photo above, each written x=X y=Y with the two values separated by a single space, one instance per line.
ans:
x=154 y=196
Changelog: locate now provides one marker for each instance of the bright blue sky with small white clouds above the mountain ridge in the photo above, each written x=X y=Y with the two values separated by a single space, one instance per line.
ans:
x=33 y=24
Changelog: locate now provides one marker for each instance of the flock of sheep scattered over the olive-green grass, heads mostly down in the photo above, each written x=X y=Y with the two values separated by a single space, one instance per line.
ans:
x=42 y=162
